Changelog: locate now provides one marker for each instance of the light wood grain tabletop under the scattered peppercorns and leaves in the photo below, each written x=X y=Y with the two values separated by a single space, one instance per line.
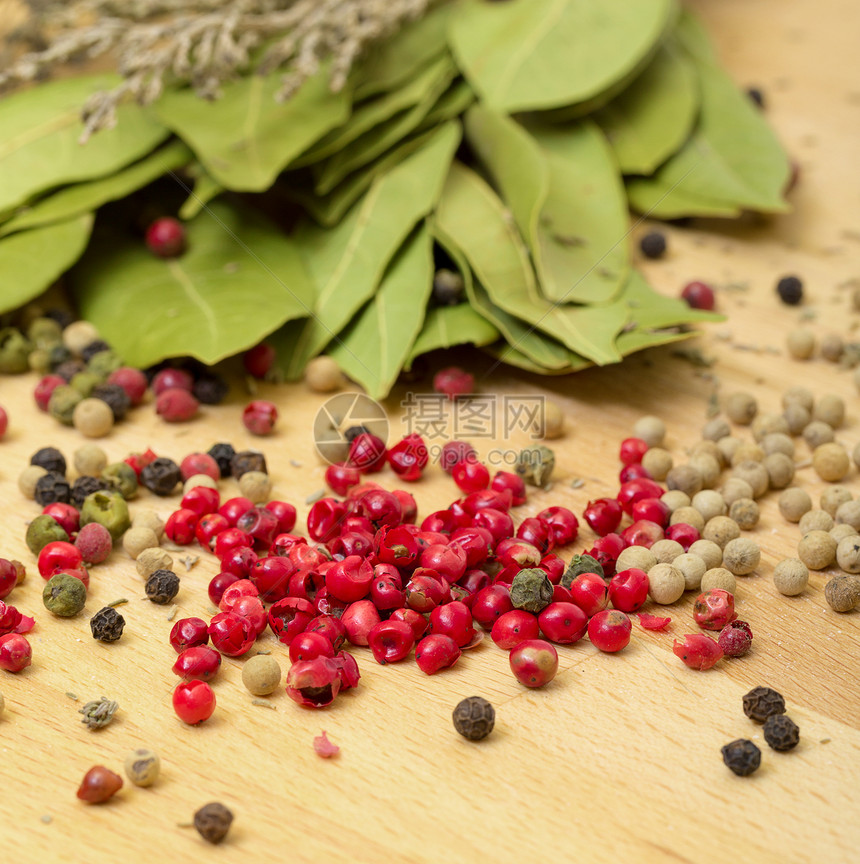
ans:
x=618 y=758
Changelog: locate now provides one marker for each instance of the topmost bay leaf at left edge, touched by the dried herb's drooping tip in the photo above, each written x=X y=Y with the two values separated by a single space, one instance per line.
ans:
x=41 y=128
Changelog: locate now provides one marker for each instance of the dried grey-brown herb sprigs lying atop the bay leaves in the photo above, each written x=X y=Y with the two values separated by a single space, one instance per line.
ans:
x=204 y=43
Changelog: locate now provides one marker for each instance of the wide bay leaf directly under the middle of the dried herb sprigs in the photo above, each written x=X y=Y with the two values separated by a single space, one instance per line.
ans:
x=245 y=138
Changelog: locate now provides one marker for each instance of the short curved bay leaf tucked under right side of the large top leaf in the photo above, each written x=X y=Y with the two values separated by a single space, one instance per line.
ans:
x=654 y=116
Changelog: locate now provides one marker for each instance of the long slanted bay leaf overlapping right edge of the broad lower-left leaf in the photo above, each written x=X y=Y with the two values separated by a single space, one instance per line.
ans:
x=346 y=263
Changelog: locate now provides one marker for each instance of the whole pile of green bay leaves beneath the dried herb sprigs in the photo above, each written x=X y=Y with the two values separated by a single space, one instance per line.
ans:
x=510 y=138
